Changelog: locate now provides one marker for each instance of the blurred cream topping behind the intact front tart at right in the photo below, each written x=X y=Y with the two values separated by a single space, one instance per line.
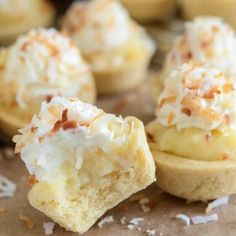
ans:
x=205 y=40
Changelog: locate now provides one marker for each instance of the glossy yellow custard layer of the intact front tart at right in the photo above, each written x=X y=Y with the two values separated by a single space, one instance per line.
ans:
x=194 y=143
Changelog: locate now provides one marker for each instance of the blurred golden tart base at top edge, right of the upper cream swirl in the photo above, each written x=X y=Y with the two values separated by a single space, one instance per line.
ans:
x=150 y=10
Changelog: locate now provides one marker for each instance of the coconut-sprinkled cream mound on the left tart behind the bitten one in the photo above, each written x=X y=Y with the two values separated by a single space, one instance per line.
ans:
x=44 y=63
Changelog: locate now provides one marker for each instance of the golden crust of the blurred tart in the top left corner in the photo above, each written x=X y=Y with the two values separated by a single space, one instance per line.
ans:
x=12 y=25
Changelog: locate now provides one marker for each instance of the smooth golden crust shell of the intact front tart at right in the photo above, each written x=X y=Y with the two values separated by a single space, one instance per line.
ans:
x=194 y=180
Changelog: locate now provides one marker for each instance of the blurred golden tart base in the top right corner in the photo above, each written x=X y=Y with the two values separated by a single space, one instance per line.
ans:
x=221 y=8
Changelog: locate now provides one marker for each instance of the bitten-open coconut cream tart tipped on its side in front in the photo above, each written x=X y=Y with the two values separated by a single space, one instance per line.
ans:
x=83 y=161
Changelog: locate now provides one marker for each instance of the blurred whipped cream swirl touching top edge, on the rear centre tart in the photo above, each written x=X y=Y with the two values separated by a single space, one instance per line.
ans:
x=98 y=25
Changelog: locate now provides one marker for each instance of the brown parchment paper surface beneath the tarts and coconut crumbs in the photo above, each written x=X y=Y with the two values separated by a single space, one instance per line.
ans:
x=161 y=217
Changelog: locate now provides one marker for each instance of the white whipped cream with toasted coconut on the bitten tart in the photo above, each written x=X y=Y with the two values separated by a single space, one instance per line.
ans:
x=70 y=126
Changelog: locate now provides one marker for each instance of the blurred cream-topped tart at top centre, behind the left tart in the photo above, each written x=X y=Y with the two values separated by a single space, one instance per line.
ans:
x=118 y=50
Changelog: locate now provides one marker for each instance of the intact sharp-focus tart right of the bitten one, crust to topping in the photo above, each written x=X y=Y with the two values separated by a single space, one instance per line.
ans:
x=193 y=138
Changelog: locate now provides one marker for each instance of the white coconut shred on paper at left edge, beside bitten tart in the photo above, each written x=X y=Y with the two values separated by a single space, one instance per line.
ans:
x=7 y=187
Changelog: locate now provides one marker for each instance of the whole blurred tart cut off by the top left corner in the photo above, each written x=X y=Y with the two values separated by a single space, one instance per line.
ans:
x=19 y=16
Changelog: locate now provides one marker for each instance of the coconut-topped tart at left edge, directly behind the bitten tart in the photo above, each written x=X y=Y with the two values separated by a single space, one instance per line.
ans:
x=38 y=66
